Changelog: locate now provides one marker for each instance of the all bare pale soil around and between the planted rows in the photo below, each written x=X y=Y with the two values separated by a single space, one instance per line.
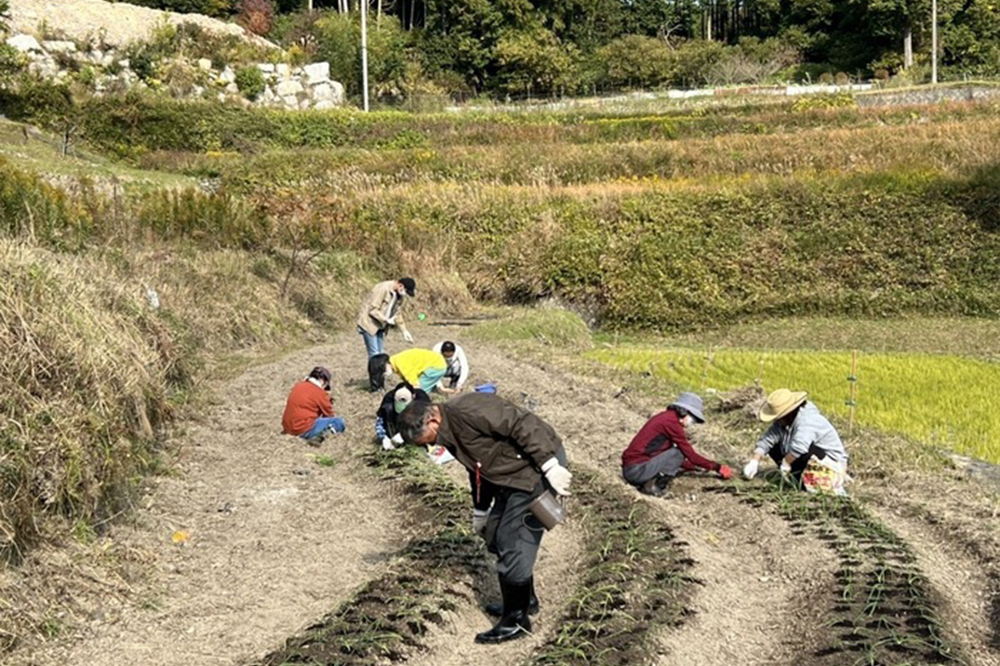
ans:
x=278 y=541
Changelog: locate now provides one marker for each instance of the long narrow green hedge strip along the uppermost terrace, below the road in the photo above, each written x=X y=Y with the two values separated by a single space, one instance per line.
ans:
x=138 y=123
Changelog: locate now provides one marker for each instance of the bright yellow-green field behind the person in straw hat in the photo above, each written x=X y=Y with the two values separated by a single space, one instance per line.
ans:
x=944 y=400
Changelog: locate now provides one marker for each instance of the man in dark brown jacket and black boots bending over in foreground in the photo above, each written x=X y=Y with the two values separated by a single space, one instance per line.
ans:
x=521 y=457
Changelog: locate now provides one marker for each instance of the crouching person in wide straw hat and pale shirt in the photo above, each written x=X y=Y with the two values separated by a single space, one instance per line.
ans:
x=798 y=433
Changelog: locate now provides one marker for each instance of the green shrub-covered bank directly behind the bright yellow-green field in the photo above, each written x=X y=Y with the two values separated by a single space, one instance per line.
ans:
x=866 y=246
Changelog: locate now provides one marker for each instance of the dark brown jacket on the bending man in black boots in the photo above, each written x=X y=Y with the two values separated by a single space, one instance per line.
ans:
x=507 y=444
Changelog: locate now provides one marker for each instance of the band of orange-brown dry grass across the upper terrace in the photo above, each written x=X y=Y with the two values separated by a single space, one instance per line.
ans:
x=947 y=148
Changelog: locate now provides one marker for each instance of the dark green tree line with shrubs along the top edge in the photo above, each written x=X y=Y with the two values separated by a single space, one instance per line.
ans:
x=519 y=47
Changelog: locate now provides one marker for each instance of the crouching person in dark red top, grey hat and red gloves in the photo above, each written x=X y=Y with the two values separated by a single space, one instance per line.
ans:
x=660 y=450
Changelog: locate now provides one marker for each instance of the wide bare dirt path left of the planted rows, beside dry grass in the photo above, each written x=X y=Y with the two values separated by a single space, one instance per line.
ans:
x=275 y=540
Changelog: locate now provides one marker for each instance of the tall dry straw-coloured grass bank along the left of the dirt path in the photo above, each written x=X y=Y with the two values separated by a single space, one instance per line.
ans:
x=91 y=370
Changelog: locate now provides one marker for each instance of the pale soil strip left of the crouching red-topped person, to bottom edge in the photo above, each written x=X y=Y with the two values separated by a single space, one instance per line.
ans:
x=747 y=559
